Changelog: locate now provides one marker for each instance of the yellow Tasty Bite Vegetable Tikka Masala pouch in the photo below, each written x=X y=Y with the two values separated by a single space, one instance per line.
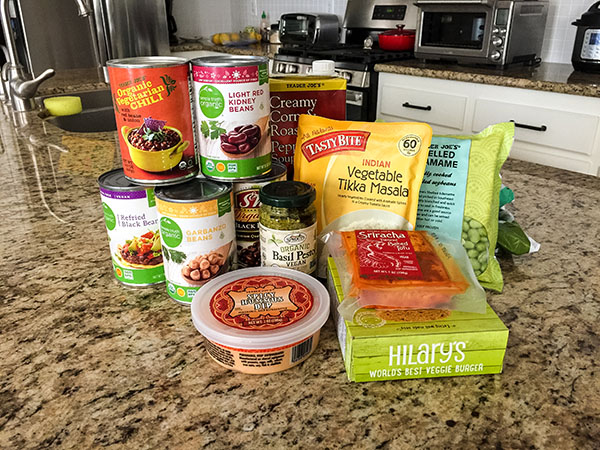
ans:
x=367 y=175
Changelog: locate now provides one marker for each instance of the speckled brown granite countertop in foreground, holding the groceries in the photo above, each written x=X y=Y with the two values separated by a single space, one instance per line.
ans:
x=87 y=362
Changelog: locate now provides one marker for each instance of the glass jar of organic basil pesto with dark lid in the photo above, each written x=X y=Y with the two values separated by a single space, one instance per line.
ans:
x=288 y=226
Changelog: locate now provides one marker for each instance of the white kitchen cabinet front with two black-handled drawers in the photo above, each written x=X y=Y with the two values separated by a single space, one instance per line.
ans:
x=553 y=129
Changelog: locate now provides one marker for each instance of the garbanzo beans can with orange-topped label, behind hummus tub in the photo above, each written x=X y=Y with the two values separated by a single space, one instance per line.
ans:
x=197 y=232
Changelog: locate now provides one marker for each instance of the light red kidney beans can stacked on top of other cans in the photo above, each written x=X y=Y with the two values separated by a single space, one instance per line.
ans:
x=231 y=102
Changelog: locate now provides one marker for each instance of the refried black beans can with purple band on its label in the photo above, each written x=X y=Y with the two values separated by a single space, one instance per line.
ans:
x=133 y=232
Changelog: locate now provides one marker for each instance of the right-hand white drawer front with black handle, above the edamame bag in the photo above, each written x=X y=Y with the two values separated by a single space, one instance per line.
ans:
x=565 y=130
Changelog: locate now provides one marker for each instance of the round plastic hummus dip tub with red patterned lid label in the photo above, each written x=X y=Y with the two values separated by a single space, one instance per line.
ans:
x=261 y=319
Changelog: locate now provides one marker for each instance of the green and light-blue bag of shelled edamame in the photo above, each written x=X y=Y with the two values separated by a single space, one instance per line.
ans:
x=459 y=196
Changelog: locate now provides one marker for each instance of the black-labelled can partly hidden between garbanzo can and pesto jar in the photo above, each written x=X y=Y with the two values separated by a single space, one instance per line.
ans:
x=246 y=206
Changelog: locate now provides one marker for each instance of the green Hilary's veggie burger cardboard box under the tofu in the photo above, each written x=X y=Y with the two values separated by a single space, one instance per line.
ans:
x=460 y=344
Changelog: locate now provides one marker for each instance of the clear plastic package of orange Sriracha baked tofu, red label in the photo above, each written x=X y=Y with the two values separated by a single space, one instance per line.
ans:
x=398 y=270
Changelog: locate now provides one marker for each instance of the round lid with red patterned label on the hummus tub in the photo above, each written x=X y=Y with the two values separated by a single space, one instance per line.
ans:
x=222 y=308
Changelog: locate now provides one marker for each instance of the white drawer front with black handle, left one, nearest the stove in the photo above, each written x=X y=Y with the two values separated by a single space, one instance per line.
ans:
x=429 y=106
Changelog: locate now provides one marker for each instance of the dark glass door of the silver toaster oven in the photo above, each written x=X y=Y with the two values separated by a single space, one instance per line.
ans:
x=460 y=30
